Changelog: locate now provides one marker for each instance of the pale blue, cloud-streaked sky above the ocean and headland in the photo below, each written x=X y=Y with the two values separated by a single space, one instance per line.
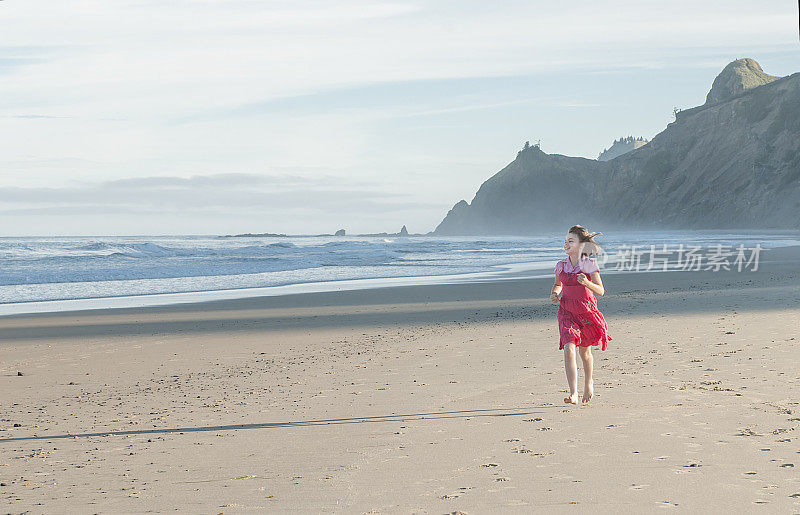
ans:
x=304 y=117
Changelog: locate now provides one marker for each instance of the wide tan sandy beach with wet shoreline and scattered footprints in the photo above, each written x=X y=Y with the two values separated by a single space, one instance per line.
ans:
x=419 y=399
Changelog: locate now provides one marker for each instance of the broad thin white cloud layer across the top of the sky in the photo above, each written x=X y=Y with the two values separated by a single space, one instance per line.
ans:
x=121 y=57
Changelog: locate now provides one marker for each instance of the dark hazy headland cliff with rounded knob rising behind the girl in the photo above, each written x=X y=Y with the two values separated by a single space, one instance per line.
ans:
x=730 y=163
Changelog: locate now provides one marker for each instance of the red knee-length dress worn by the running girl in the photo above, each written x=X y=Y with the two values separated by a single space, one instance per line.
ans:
x=579 y=320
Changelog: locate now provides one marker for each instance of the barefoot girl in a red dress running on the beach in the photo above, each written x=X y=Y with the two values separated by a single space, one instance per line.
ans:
x=580 y=324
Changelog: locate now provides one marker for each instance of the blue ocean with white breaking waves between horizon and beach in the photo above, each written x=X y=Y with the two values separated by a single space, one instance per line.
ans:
x=59 y=273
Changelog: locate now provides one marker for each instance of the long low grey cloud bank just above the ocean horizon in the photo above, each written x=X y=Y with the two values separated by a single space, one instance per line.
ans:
x=235 y=192
